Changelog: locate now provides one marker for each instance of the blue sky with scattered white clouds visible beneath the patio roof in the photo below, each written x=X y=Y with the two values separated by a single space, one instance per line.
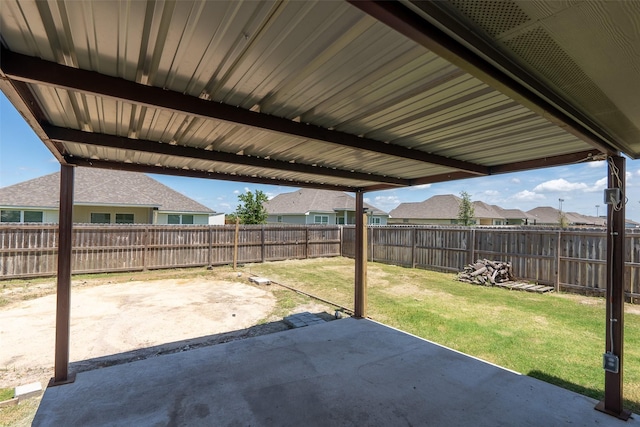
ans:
x=23 y=156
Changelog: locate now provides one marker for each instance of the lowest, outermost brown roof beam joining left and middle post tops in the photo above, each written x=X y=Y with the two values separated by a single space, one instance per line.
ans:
x=191 y=173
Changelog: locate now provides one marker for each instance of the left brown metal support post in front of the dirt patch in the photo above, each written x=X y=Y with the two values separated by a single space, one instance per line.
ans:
x=63 y=305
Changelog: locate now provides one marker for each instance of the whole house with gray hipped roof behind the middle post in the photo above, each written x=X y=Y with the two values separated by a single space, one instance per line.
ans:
x=308 y=206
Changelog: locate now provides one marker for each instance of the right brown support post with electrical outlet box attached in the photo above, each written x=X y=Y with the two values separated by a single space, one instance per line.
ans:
x=613 y=378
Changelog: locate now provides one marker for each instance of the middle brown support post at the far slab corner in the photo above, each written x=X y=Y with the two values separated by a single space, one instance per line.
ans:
x=360 y=309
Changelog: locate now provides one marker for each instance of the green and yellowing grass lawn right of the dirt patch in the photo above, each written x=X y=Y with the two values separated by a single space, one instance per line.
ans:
x=558 y=338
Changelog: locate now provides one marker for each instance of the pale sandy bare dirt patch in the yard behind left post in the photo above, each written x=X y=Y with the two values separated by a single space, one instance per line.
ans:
x=120 y=317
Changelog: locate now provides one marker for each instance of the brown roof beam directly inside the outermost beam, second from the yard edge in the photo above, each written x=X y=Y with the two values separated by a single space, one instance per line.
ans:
x=111 y=141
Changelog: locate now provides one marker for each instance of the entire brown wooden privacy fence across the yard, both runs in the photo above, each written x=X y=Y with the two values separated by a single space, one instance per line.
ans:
x=568 y=259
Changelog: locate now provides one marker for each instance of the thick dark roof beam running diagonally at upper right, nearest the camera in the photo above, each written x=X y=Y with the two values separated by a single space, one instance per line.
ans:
x=405 y=21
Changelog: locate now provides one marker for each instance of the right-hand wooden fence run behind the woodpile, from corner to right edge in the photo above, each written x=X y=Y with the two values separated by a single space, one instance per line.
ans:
x=567 y=259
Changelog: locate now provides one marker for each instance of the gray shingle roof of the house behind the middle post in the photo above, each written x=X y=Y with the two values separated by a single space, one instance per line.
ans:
x=308 y=200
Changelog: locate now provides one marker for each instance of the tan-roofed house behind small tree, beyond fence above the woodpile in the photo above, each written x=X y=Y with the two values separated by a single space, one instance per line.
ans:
x=443 y=210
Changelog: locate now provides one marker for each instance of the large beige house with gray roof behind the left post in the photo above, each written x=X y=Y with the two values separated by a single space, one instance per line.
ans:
x=101 y=196
